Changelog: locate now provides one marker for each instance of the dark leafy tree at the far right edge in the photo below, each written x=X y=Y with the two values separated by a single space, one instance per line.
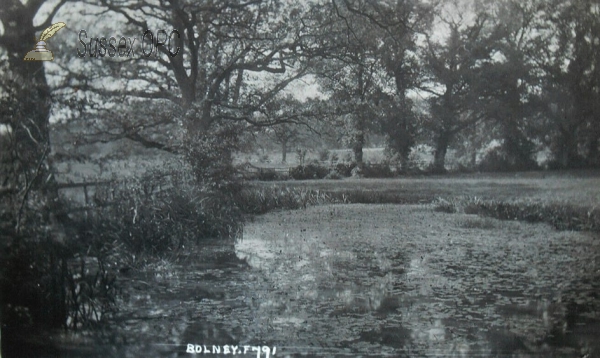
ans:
x=571 y=89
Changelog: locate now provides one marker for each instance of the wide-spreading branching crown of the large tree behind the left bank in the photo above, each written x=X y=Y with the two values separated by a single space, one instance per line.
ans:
x=235 y=58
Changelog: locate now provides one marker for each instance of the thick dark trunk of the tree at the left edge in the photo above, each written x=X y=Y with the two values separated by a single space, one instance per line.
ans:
x=30 y=121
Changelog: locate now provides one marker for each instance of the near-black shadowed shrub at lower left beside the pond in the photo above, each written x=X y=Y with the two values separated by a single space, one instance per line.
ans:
x=47 y=284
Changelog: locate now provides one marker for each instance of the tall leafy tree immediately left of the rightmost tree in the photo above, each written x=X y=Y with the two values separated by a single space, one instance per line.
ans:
x=511 y=78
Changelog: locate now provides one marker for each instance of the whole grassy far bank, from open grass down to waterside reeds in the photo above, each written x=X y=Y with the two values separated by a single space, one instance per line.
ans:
x=566 y=200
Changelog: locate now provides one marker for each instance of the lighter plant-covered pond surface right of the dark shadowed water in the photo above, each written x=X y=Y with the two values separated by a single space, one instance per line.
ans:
x=405 y=281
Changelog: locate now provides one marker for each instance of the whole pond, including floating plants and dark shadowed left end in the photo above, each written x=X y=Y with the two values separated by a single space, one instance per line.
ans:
x=361 y=280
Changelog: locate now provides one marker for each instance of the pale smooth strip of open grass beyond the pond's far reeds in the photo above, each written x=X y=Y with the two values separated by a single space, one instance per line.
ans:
x=574 y=187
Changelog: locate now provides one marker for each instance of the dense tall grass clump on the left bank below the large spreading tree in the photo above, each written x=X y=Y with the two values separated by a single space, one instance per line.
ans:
x=155 y=220
